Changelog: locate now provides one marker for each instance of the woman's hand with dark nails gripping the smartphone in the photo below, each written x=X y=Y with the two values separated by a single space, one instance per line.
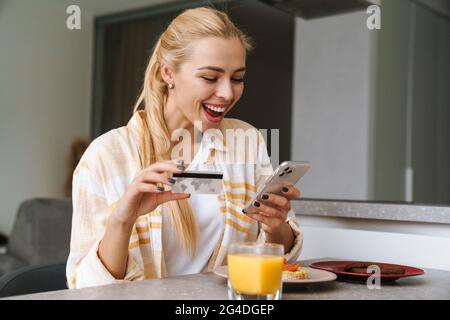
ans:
x=273 y=210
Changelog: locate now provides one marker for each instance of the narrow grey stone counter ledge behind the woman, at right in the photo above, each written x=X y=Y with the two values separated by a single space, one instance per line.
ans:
x=373 y=210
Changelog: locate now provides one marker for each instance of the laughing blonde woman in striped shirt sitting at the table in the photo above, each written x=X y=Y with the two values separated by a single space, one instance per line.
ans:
x=127 y=224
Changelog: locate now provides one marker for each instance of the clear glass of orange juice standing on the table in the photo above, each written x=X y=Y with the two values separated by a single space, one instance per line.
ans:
x=255 y=271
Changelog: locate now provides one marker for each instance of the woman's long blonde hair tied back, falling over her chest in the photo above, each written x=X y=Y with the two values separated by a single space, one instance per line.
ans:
x=171 y=50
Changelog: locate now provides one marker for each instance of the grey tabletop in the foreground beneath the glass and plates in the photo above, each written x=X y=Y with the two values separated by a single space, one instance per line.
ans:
x=434 y=284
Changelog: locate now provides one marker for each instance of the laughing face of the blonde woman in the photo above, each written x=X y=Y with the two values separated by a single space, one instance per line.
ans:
x=209 y=83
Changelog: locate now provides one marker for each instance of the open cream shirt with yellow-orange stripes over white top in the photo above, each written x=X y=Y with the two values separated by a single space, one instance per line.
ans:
x=111 y=163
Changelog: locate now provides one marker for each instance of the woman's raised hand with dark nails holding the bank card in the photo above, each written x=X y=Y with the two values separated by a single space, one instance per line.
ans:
x=143 y=195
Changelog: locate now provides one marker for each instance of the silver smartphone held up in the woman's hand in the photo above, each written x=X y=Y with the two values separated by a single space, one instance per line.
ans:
x=287 y=173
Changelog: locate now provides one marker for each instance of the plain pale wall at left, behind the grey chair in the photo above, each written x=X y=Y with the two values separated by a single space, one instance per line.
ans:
x=45 y=94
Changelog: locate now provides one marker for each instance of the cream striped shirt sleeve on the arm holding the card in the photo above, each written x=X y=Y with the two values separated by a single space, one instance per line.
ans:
x=90 y=214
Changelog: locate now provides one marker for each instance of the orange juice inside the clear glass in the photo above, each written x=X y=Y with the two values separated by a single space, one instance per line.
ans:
x=256 y=274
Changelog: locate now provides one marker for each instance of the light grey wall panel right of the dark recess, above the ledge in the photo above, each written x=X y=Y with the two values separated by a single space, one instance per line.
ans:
x=333 y=84
